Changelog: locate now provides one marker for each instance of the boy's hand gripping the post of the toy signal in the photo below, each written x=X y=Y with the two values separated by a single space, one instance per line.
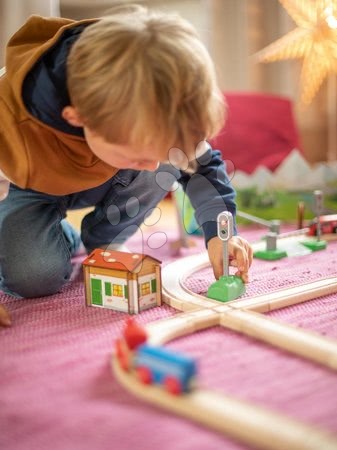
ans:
x=240 y=253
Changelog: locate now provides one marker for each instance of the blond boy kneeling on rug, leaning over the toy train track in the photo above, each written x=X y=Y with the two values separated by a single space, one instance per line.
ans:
x=89 y=112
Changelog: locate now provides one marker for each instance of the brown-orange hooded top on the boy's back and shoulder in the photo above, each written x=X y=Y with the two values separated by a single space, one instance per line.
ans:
x=32 y=154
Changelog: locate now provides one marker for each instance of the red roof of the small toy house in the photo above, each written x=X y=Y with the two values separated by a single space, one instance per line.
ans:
x=112 y=259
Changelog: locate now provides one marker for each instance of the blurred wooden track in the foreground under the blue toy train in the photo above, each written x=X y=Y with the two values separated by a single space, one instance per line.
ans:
x=250 y=424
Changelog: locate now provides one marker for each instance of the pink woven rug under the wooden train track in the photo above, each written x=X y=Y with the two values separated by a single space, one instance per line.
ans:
x=58 y=392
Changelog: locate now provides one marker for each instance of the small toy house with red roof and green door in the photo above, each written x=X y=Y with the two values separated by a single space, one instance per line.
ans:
x=128 y=282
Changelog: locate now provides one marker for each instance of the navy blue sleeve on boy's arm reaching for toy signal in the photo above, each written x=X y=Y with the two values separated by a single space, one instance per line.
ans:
x=210 y=192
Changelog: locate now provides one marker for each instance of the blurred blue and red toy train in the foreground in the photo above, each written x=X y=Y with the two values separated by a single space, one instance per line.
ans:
x=152 y=364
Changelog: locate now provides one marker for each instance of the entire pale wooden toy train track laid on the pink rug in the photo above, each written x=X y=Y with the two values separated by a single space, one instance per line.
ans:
x=250 y=424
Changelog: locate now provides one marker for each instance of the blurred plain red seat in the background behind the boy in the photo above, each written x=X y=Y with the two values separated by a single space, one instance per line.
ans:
x=260 y=130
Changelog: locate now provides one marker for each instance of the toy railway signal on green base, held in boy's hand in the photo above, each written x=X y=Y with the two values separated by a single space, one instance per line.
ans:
x=228 y=287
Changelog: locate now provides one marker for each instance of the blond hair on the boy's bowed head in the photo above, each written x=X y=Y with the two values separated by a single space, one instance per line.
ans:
x=141 y=77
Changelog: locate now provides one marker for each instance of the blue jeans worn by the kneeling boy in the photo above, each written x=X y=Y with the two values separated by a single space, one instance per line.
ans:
x=36 y=244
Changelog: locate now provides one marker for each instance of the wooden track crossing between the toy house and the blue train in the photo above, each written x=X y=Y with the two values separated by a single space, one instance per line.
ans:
x=241 y=314
